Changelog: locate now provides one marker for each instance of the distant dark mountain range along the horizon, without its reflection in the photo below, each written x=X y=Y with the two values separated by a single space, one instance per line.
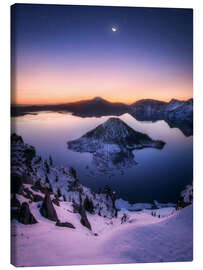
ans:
x=100 y=107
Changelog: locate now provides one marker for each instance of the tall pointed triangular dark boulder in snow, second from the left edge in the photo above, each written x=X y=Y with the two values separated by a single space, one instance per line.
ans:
x=47 y=209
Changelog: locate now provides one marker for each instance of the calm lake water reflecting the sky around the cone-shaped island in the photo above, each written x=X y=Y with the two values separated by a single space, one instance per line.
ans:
x=159 y=174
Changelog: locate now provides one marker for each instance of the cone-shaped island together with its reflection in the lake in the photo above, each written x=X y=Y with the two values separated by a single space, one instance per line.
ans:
x=112 y=143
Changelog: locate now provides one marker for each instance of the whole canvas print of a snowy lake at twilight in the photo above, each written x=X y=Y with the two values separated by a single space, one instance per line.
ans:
x=101 y=135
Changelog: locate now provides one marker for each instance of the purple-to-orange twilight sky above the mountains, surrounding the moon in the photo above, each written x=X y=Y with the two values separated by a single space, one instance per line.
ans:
x=67 y=53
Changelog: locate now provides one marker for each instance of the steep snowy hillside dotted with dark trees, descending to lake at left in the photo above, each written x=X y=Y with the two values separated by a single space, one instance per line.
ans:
x=28 y=168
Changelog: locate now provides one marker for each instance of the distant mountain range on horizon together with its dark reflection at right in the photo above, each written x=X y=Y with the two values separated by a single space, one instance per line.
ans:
x=176 y=113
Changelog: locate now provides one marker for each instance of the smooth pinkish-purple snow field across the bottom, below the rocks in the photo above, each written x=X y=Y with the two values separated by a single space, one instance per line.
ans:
x=144 y=238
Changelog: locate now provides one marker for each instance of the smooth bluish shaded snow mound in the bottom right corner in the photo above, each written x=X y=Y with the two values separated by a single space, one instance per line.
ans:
x=165 y=241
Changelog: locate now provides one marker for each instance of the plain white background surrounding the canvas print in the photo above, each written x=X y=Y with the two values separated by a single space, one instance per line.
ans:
x=198 y=157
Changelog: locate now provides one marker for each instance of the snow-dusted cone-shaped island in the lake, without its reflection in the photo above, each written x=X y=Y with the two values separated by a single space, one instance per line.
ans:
x=113 y=131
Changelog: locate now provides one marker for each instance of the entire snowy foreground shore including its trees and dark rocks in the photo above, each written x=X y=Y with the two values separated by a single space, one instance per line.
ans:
x=58 y=221
